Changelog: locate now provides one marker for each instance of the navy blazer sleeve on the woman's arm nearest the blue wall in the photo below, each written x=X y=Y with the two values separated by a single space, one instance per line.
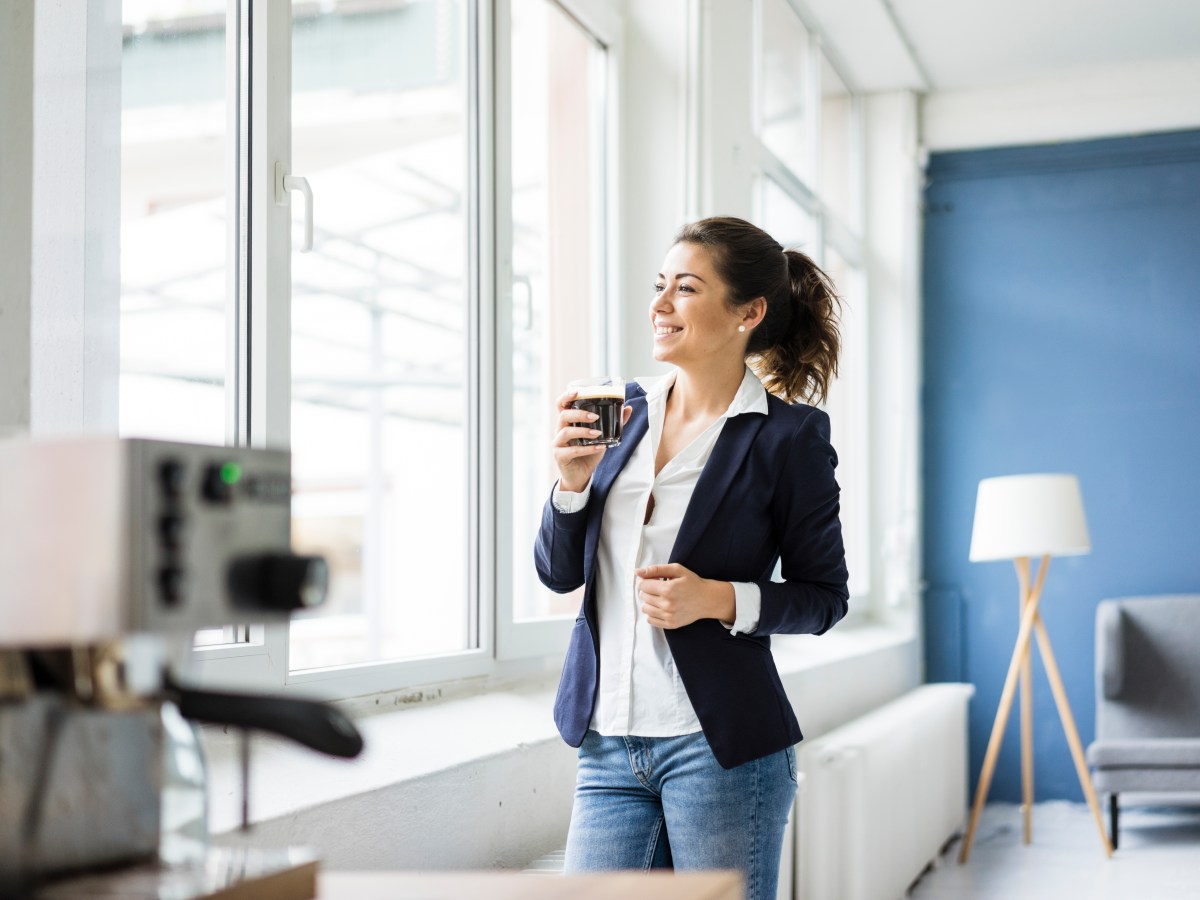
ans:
x=813 y=596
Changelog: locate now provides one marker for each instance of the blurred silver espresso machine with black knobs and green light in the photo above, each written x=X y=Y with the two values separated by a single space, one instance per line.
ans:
x=113 y=554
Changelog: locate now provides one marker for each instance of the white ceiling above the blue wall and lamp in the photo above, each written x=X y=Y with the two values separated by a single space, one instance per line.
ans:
x=957 y=45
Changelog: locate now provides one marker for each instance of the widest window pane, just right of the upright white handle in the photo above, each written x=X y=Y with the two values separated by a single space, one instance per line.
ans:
x=380 y=340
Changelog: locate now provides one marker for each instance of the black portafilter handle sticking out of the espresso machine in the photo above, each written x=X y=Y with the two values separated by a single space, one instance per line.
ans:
x=319 y=727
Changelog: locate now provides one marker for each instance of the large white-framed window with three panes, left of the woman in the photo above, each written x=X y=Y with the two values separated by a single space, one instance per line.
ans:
x=455 y=153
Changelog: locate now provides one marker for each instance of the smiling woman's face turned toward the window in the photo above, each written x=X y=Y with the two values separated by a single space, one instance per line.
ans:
x=693 y=323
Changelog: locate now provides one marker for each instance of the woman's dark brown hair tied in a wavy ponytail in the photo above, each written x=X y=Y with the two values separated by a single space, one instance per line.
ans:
x=795 y=349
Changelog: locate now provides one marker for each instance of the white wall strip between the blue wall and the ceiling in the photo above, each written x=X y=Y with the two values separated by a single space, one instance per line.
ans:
x=1094 y=104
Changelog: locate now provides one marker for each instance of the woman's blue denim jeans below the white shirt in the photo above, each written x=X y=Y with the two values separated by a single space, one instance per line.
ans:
x=655 y=803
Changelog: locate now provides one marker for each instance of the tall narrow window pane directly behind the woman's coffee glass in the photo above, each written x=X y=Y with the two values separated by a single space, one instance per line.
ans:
x=557 y=259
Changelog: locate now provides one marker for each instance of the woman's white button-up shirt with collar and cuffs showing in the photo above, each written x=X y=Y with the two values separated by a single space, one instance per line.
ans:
x=640 y=691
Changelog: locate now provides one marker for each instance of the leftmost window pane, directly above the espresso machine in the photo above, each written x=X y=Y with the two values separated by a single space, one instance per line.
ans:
x=175 y=159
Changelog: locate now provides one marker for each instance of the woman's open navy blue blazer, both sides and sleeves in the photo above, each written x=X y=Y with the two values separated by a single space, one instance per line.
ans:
x=767 y=494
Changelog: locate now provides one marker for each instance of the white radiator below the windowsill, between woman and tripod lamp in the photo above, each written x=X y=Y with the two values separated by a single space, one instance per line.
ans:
x=883 y=796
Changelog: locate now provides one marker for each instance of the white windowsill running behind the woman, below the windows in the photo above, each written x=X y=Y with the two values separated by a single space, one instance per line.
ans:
x=413 y=743
